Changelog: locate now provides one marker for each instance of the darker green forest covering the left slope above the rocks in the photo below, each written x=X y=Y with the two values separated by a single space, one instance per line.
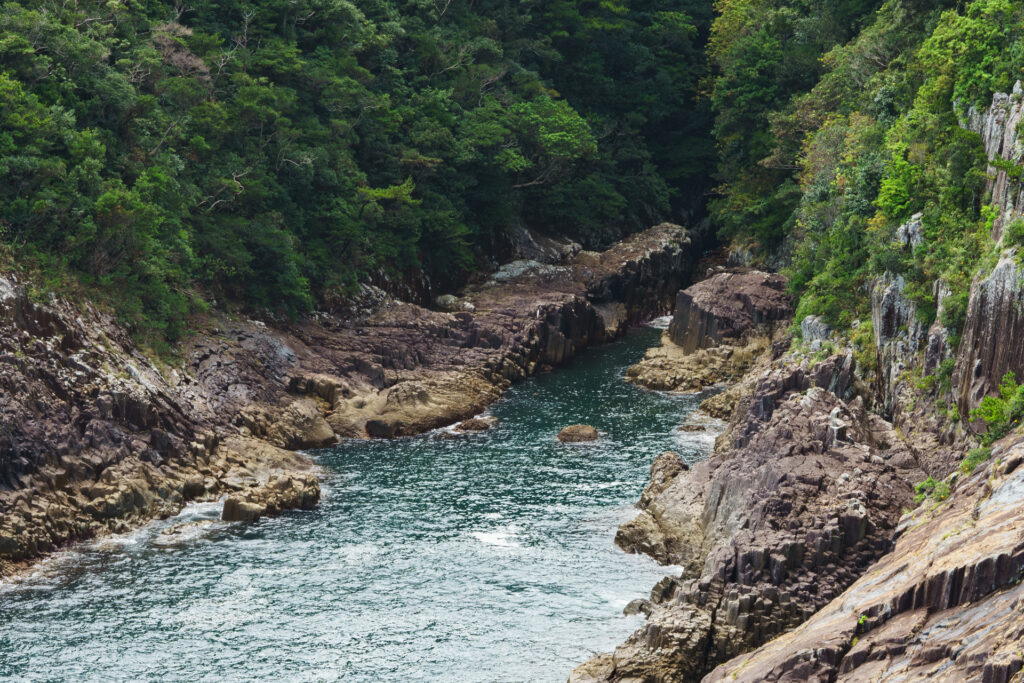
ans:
x=279 y=153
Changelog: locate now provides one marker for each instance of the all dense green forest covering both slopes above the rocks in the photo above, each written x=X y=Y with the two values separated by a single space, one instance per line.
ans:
x=275 y=155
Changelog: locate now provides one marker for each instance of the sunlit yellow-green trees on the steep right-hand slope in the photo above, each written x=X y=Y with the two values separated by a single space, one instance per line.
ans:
x=819 y=173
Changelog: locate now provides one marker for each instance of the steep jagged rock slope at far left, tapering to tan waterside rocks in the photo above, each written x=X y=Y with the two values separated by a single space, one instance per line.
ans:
x=95 y=439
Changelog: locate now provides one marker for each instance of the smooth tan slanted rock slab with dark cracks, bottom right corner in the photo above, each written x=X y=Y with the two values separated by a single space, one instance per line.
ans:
x=948 y=604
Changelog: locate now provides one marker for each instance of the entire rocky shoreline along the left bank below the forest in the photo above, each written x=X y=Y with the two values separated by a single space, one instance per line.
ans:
x=96 y=438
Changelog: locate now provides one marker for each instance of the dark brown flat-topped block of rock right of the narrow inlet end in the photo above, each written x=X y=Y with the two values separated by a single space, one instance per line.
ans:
x=728 y=306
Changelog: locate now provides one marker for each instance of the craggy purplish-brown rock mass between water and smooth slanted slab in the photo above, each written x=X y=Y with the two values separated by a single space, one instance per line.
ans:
x=805 y=496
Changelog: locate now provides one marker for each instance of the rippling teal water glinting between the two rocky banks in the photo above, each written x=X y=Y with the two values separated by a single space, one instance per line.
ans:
x=486 y=558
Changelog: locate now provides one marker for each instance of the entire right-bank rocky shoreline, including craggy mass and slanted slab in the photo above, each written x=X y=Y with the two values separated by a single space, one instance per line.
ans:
x=806 y=554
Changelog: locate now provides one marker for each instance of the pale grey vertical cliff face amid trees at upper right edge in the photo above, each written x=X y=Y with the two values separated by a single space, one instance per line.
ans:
x=999 y=127
